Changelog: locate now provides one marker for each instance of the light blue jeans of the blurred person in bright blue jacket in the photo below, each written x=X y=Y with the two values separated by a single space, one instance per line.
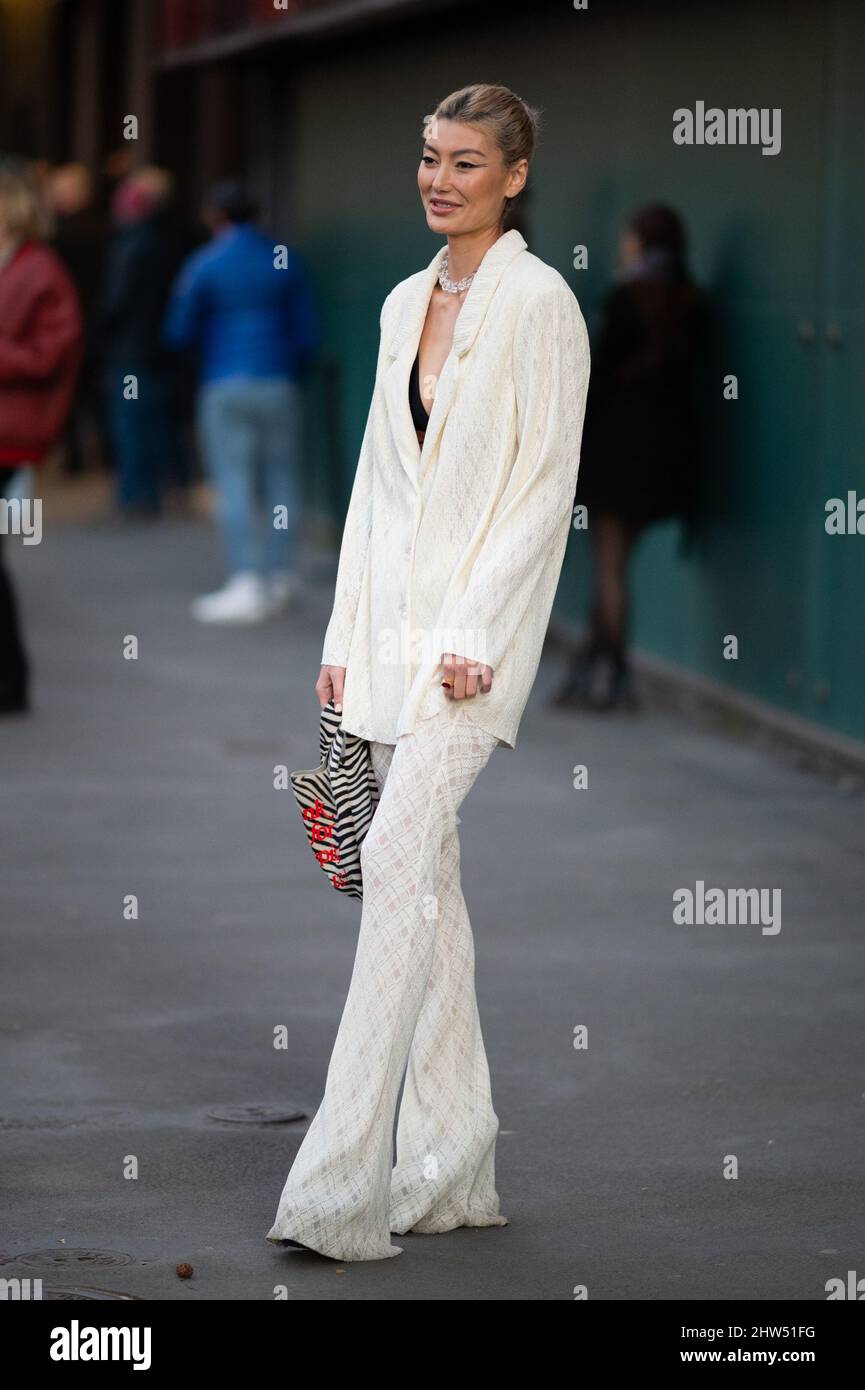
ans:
x=250 y=433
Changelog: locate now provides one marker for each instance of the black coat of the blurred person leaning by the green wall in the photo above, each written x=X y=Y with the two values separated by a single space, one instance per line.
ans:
x=642 y=441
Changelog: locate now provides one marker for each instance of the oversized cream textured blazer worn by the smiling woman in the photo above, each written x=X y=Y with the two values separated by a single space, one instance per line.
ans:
x=458 y=547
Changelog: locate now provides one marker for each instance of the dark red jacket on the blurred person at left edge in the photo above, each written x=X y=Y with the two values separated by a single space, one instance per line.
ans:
x=41 y=348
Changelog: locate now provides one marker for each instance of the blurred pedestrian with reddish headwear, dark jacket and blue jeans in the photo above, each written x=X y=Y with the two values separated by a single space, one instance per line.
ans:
x=144 y=259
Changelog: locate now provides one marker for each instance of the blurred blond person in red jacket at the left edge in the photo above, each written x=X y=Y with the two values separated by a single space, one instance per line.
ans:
x=41 y=345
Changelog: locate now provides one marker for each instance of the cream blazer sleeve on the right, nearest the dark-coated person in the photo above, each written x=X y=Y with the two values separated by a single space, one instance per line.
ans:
x=551 y=369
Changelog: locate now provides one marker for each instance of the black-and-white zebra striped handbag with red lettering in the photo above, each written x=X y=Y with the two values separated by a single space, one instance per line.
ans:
x=337 y=803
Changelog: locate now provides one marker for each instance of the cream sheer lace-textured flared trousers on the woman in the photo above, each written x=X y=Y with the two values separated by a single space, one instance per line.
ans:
x=411 y=1011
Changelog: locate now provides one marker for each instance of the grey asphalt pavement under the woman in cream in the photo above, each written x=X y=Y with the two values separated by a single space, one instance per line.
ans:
x=706 y=1045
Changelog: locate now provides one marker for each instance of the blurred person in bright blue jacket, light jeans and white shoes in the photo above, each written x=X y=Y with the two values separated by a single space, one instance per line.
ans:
x=245 y=305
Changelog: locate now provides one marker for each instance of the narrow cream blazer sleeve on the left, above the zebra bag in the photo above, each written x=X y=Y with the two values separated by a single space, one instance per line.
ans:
x=355 y=534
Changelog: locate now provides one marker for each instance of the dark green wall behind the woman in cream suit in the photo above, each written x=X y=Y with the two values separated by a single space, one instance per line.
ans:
x=777 y=240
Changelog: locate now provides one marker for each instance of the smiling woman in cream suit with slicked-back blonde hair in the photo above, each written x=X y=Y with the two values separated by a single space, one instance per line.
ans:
x=451 y=555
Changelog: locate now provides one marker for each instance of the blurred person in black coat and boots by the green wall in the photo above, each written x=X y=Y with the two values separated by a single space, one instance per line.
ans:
x=640 y=457
